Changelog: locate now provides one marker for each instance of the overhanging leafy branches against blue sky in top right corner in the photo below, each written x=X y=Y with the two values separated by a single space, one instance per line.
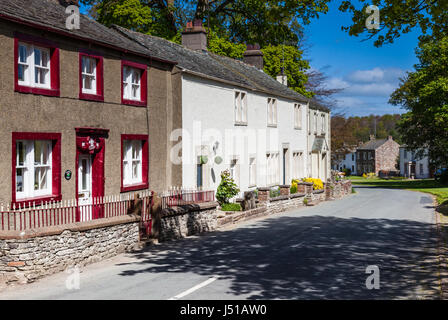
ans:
x=399 y=17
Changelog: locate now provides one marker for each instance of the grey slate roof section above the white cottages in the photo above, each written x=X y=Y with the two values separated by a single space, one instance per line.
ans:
x=218 y=67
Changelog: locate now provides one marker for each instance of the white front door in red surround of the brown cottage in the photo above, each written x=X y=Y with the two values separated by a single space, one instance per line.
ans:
x=85 y=186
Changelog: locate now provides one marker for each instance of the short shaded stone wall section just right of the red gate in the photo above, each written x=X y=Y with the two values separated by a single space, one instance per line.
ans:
x=180 y=222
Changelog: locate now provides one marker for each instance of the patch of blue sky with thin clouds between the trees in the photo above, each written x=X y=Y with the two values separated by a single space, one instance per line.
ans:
x=368 y=74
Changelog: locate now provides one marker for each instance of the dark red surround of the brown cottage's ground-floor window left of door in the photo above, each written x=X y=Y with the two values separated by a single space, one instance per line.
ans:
x=55 y=168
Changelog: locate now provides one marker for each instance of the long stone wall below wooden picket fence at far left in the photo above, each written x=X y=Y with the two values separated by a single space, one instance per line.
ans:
x=29 y=255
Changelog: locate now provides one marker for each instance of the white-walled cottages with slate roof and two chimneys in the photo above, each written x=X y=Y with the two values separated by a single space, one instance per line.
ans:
x=234 y=116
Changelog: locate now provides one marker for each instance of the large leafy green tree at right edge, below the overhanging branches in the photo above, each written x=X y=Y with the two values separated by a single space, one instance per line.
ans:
x=424 y=93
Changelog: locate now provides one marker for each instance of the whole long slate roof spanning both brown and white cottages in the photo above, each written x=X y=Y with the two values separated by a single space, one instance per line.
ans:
x=49 y=15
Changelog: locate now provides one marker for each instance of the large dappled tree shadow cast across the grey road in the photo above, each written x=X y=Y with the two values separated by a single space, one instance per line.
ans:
x=313 y=257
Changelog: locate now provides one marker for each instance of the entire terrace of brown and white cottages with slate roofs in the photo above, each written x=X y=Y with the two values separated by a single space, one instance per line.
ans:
x=101 y=111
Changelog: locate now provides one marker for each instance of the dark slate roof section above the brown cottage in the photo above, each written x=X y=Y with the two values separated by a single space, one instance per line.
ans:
x=49 y=15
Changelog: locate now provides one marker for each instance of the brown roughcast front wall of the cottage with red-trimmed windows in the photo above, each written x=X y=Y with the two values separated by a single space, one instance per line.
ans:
x=37 y=113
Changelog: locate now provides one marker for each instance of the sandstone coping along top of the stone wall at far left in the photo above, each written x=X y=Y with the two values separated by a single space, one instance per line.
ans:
x=74 y=227
